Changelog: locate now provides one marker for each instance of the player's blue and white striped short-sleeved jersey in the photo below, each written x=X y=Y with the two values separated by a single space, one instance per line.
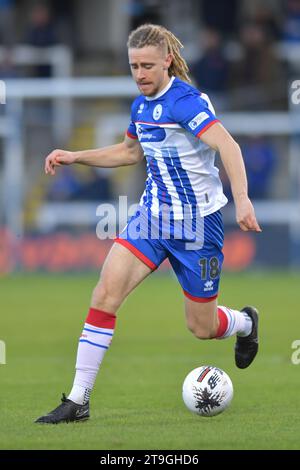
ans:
x=180 y=167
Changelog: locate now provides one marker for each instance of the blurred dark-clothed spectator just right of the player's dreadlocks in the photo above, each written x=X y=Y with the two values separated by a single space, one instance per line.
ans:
x=210 y=72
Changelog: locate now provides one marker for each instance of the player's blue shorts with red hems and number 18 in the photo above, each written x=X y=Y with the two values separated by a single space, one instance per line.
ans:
x=194 y=250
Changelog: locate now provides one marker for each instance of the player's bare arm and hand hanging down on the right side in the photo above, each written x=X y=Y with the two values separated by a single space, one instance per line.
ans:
x=217 y=137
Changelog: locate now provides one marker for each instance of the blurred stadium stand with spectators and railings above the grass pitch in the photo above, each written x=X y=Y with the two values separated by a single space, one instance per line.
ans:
x=64 y=66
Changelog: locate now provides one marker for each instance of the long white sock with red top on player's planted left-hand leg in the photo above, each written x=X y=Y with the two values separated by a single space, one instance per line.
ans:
x=93 y=344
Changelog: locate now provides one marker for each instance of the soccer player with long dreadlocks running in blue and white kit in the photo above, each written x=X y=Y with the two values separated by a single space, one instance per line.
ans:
x=173 y=125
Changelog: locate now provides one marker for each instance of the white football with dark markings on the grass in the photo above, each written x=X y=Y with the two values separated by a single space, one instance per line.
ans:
x=207 y=391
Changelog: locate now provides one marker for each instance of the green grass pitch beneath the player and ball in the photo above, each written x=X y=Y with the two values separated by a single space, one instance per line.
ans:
x=137 y=400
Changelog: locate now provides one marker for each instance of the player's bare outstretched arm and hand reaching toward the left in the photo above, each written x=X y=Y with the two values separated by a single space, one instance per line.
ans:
x=126 y=153
